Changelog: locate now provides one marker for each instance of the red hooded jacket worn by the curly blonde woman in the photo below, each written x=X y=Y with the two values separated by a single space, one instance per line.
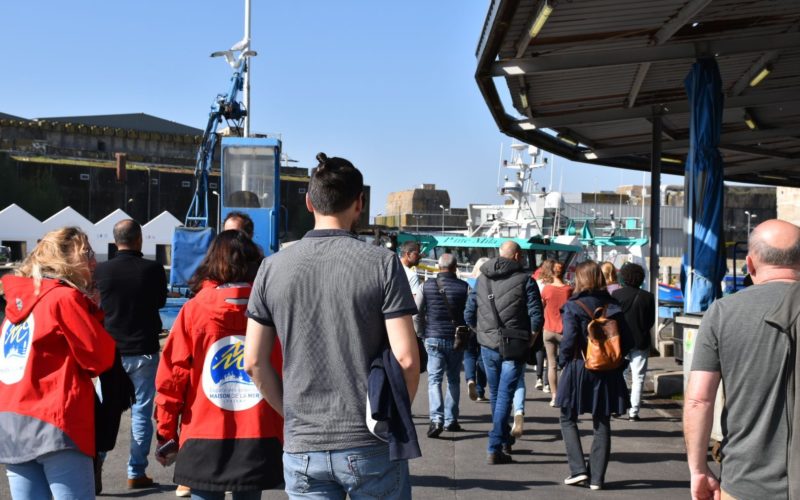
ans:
x=53 y=343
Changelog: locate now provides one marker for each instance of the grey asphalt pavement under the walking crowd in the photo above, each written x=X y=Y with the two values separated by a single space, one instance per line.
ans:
x=647 y=457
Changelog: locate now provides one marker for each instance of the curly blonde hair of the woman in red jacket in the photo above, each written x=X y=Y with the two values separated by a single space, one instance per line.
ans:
x=62 y=254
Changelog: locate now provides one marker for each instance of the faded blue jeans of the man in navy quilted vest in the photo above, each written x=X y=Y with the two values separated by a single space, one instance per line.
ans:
x=443 y=360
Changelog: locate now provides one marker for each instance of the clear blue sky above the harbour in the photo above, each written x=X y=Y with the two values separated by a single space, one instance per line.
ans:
x=388 y=85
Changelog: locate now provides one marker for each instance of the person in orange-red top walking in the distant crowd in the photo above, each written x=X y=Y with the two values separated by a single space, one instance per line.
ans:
x=555 y=294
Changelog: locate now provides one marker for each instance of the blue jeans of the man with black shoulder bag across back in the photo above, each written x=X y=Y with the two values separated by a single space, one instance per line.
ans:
x=503 y=378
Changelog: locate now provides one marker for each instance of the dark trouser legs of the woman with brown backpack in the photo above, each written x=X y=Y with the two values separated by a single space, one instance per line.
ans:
x=601 y=445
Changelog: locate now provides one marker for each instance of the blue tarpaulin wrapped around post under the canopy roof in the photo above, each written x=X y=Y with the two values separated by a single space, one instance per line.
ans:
x=704 y=260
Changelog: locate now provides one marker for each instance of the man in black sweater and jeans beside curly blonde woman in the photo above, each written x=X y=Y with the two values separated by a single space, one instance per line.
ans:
x=132 y=290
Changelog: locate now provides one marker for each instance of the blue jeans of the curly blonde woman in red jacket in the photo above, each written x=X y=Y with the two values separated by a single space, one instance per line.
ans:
x=64 y=475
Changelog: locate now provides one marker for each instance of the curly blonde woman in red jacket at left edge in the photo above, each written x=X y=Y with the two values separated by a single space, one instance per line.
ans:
x=53 y=343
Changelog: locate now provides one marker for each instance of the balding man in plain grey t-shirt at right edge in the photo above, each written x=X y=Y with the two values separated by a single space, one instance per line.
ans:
x=736 y=344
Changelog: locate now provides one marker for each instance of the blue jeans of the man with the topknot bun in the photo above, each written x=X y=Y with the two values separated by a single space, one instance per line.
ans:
x=361 y=473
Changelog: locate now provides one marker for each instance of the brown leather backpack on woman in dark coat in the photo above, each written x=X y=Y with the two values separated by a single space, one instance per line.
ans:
x=604 y=342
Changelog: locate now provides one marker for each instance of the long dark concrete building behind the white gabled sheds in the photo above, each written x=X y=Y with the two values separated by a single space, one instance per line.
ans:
x=140 y=164
